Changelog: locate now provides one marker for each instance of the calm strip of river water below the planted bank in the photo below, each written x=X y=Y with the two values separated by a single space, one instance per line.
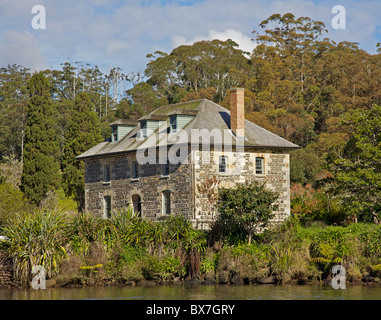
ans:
x=210 y=292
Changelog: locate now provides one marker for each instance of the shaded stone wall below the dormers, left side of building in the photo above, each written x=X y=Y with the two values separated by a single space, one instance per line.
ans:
x=149 y=186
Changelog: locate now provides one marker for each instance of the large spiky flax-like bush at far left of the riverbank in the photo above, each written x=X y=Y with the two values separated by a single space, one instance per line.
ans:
x=35 y=239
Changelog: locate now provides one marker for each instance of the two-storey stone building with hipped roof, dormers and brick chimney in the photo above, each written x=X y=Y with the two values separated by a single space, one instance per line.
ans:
x=174 y=159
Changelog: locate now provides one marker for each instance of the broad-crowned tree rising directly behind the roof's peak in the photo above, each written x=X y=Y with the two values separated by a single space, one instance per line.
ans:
x=202 y=65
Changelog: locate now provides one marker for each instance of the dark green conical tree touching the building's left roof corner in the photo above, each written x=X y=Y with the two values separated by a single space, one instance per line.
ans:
x=83 y=132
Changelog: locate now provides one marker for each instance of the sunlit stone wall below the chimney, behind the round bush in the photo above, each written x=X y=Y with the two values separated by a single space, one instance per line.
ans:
x=241 y=169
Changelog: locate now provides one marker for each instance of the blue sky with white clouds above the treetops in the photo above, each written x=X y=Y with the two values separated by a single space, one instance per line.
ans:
x=120 y=33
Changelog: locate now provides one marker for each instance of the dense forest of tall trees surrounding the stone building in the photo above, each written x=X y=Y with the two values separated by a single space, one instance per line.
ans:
x=323 y=96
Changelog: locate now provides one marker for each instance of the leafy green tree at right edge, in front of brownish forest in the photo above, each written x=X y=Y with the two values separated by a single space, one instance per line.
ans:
x=357 y=166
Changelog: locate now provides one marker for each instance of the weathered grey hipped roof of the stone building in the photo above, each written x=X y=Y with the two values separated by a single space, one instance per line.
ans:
x=208 y=115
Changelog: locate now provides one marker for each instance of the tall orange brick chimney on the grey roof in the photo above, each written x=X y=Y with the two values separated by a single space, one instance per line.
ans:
x=237 y=112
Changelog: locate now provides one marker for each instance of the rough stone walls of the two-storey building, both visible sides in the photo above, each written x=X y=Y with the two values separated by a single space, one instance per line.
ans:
x=184 y=182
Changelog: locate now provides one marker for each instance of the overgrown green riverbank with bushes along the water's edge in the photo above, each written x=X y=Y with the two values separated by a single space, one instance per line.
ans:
x=125 y=250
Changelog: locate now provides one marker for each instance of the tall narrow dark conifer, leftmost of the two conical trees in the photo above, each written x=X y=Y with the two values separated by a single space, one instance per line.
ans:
x=41 y=169
